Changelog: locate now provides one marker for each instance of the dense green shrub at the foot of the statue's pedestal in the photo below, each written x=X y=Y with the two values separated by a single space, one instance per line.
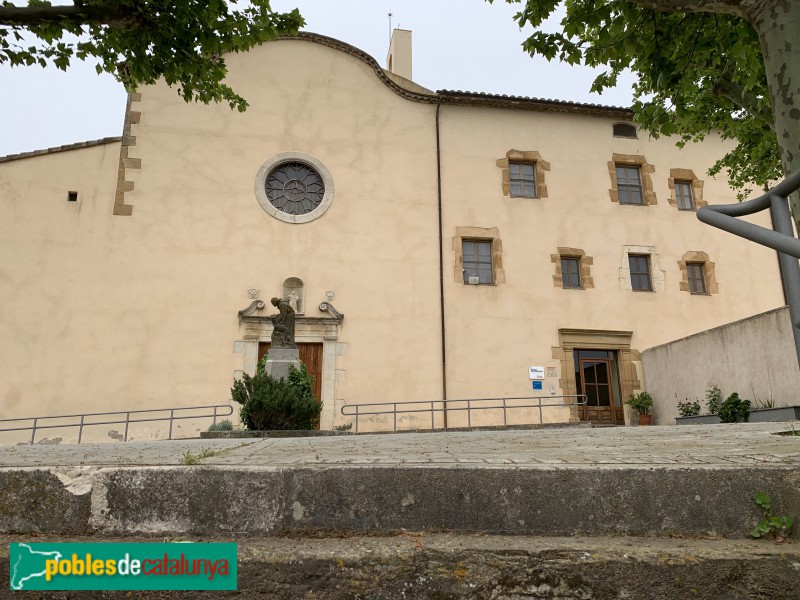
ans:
x=269 y=404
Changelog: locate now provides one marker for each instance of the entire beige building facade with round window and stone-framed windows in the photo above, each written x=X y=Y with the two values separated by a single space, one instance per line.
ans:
x=436 y=244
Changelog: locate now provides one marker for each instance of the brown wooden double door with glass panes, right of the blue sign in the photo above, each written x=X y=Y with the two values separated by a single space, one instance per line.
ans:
x=597 y=376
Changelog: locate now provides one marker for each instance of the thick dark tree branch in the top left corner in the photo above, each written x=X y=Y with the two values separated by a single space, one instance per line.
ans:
x=31 y=16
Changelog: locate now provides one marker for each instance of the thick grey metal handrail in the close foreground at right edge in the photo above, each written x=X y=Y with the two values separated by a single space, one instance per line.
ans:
x=780 y=238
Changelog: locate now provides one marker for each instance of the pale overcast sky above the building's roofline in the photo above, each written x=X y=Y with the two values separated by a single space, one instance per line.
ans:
x=457 y=45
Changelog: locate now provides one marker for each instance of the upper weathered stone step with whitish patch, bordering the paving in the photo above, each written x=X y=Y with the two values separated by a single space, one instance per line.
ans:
x=220 y=500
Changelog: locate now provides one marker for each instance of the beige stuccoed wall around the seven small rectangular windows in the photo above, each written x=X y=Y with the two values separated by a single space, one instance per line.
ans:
x=495 y=332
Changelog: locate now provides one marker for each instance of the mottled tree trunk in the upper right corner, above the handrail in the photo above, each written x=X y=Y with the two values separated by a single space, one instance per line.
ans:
x=778 y=25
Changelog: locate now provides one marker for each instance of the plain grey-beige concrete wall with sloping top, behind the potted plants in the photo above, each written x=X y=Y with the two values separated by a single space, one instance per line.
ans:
x=754 y=357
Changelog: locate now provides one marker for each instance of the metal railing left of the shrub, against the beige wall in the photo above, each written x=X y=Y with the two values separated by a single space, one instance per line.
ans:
x=130 y=416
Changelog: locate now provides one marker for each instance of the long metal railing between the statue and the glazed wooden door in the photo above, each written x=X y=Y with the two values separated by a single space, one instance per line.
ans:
x=468 y=405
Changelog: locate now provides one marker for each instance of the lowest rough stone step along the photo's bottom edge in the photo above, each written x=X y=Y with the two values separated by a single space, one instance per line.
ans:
x=424 y=565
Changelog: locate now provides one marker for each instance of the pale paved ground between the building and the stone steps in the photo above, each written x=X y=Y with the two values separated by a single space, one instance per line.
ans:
x=739 y=445
